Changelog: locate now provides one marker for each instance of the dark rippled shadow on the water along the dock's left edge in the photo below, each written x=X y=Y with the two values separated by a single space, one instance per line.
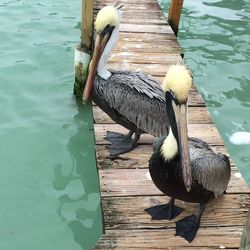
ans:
x=80 y=203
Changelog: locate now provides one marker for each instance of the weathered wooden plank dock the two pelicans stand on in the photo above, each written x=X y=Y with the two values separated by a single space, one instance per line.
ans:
x=148 y=44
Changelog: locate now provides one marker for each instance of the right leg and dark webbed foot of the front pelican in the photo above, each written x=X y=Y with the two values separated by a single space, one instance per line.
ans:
x=188 y=226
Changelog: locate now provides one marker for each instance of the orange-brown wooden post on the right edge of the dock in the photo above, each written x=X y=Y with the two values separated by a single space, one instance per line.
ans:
x=174 y=14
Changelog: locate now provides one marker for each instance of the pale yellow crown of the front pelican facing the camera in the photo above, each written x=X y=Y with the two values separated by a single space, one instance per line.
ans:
x=178 y=80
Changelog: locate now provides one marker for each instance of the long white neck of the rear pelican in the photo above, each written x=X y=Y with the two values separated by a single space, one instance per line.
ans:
x=102 y=69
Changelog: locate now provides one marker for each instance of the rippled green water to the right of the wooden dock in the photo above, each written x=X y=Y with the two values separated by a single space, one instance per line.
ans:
x=215 y=36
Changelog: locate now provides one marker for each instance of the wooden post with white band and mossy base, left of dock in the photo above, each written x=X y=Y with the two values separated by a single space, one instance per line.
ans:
x=83 y=50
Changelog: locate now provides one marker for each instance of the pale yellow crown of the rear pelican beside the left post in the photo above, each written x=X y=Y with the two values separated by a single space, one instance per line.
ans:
x=106 y=16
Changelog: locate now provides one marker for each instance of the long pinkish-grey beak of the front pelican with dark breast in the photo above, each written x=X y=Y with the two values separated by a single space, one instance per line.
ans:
x=184 y=146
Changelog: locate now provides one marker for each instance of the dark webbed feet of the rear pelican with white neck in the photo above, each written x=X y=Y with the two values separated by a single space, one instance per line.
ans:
x=123 y=144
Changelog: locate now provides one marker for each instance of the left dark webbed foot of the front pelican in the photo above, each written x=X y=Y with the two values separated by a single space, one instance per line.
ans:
x=164 y=212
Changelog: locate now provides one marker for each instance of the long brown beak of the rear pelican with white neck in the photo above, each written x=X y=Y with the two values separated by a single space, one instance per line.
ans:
x=100 y=44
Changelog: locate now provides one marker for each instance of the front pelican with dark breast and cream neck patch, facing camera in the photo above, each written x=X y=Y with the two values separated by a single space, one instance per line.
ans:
x=176 y=158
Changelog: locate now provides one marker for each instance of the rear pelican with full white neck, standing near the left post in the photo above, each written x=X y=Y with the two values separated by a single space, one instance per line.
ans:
x=132 y=99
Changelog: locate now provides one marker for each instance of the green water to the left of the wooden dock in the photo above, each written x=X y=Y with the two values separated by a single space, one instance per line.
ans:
x=49 y=192
